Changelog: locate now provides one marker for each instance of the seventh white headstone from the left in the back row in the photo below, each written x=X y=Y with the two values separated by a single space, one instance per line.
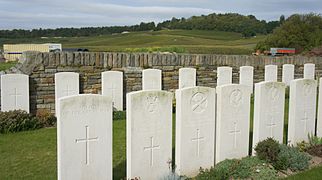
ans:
x=246 y=76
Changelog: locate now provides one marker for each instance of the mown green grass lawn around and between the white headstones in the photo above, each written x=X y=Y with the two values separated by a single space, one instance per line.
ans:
x=32 y=154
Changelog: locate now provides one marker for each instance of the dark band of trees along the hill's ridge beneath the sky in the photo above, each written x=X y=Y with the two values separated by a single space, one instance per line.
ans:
x=229 y=22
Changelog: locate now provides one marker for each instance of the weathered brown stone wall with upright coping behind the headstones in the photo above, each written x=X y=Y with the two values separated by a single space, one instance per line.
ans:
x=42 y=67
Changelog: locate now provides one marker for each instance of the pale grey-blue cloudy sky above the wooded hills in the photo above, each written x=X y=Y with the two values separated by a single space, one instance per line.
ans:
x=29 y=14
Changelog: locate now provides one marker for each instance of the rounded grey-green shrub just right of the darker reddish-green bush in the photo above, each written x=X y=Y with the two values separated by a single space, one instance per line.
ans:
x=292 y=158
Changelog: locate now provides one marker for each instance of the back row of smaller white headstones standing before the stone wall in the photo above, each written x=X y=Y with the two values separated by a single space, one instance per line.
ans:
x=15 y=87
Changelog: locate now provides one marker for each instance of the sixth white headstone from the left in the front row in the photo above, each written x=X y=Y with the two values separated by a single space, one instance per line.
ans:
x=302 y=110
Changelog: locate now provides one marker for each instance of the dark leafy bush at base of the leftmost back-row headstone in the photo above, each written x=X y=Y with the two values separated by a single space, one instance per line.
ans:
x=17 y=120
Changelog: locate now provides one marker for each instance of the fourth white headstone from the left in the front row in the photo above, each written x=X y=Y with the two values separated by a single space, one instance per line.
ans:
x=232 y=129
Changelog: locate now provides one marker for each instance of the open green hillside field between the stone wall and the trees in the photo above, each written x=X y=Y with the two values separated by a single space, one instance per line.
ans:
x=182 y=41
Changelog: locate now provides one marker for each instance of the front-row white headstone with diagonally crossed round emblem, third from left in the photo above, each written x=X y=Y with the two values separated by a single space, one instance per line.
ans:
x=195 y=129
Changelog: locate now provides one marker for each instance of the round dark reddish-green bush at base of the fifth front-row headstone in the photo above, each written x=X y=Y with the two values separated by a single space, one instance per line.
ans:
x=267 y=149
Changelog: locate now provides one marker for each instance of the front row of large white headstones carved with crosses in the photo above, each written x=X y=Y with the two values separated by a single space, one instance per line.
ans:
x=205 y=134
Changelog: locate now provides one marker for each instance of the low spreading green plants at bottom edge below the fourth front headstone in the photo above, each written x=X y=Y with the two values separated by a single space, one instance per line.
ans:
x=246 y=168
